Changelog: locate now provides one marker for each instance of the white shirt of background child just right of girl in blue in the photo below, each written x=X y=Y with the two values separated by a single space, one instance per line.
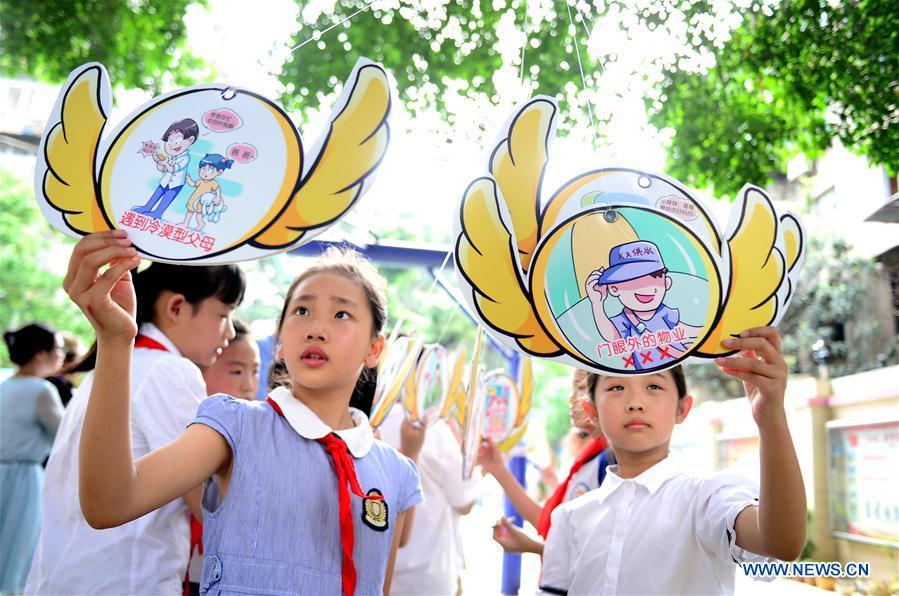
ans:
x=431 y=561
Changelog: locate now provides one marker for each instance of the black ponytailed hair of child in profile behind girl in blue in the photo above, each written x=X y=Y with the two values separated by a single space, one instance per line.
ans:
x=196 y=284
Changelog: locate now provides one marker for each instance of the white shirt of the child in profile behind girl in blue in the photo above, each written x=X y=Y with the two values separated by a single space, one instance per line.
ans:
x=149 y=554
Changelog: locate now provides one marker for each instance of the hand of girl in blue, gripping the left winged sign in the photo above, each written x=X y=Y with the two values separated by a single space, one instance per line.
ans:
x=107 y=298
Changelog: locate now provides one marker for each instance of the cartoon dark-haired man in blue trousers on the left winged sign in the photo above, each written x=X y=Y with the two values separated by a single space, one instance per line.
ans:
x=177 y=138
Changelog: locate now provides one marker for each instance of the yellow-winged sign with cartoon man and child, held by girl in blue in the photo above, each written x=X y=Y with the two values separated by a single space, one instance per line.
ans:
x=210 y=173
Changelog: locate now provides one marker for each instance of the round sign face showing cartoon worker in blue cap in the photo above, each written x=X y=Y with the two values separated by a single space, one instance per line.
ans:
x=626 y=289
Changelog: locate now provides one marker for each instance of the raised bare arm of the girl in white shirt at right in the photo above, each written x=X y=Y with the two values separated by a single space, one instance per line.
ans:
x=777 y=526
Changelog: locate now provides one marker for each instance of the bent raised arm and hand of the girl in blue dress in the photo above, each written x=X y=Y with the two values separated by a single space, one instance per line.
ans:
x=113 y=489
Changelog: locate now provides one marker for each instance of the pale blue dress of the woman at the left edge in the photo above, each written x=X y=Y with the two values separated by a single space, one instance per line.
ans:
x=30 y=410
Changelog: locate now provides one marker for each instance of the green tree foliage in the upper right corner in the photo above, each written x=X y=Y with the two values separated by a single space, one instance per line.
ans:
x=789 y=79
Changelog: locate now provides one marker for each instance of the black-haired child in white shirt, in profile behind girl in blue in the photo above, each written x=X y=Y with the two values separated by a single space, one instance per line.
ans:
x=184 y=318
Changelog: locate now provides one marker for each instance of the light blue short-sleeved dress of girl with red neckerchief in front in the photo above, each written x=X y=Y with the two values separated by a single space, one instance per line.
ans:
x=277 y=529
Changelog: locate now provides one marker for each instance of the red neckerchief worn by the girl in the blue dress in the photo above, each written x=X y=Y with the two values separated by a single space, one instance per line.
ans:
x=346 y=474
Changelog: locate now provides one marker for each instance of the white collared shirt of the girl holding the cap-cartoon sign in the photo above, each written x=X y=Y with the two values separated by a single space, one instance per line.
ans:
x=663 y=532
